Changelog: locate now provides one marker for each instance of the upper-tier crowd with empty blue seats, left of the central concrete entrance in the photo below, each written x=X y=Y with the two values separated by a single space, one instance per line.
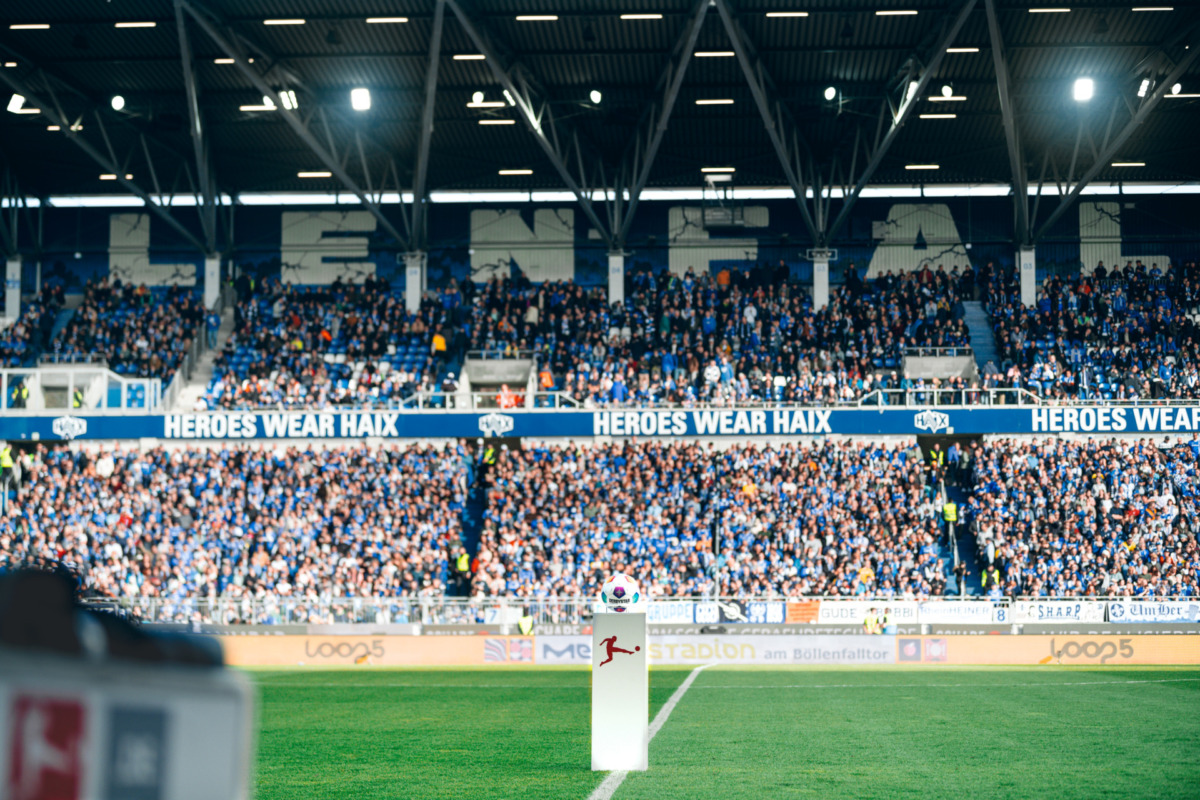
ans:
x=346 y=345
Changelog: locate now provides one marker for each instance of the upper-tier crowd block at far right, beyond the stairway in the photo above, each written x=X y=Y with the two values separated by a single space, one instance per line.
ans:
x=1120 y=335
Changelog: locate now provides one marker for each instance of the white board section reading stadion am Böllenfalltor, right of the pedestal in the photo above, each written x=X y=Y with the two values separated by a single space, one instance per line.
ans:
x=773 y=649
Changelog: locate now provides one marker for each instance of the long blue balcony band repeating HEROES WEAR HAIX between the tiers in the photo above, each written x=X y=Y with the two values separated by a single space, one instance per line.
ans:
x=248 y=426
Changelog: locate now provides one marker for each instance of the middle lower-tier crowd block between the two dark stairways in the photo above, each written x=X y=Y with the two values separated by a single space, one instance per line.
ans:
x=794 y=521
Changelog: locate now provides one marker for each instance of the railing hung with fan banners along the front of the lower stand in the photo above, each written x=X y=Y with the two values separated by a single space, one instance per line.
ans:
x=724 y=611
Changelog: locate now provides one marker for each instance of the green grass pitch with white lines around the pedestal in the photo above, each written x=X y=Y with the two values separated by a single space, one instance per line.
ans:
x=1048 y=732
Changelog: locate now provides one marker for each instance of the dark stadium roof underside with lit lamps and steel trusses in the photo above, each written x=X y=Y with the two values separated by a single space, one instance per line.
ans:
x=872 y=53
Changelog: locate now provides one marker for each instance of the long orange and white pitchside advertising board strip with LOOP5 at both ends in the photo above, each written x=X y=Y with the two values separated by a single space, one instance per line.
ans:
x=730 y=651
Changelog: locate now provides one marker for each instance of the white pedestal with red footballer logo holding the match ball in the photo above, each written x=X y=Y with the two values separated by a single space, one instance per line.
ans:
x=621 y=693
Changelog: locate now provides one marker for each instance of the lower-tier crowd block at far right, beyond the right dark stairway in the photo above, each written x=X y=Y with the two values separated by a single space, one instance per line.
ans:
x=1059 y=519
